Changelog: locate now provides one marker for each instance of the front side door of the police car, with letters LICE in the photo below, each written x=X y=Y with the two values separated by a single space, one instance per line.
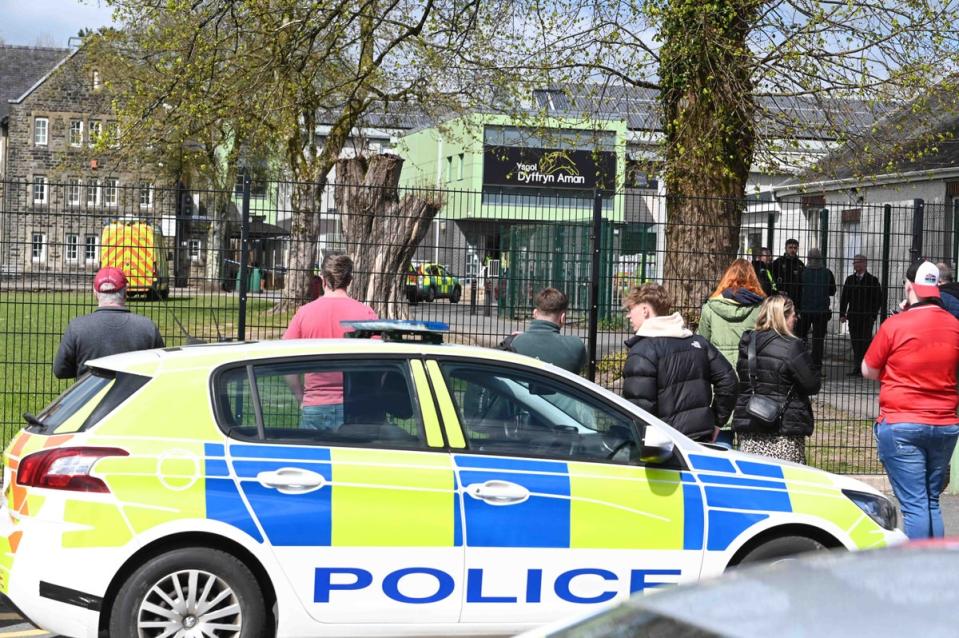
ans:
x=557 y=515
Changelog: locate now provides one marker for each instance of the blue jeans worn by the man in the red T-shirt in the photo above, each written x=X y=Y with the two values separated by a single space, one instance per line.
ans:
x=916 y=457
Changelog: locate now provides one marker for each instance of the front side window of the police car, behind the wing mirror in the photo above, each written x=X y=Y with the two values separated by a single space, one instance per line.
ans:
x=506 y=411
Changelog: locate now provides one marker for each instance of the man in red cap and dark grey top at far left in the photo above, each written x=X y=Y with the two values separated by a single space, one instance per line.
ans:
x=110 y=329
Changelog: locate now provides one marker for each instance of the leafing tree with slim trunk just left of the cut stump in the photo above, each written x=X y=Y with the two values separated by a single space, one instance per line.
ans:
x=295 y=61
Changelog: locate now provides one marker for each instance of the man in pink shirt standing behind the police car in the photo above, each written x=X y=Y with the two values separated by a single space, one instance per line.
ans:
x=321 y=393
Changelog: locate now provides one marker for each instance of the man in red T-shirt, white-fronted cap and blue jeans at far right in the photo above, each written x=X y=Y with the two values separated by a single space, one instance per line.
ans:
x=914 y=356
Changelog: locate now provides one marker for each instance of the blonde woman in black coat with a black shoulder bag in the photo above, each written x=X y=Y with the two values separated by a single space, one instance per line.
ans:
x=785 y=373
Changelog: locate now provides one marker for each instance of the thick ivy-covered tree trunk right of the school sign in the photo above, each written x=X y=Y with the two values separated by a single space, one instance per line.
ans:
x=708 y=112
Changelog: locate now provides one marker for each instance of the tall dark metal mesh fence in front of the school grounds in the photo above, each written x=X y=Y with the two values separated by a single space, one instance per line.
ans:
x=215 y=265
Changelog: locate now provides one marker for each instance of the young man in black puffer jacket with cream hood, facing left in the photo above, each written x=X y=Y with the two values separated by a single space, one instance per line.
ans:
x=672 y=373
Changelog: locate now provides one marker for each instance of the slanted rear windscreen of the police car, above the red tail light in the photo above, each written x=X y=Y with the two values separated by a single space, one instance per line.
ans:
x=93 y=396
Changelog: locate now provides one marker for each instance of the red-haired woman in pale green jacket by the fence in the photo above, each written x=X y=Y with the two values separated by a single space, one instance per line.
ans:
x=731 y=310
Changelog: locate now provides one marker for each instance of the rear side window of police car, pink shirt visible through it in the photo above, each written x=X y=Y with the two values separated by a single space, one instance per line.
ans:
x=365 y=403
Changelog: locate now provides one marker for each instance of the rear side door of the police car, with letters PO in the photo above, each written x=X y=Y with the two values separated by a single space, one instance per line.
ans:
x=346 y=474
